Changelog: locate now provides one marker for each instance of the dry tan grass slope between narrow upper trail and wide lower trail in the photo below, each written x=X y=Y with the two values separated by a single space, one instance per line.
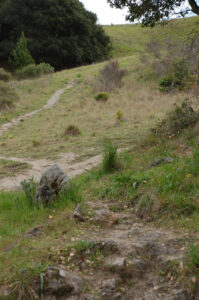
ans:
x=141 y=103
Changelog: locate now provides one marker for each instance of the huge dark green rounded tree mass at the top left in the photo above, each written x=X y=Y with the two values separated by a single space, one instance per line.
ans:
x=59 y=32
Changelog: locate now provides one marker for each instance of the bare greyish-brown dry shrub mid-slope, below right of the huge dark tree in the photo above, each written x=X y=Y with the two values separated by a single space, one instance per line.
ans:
x=109 y=78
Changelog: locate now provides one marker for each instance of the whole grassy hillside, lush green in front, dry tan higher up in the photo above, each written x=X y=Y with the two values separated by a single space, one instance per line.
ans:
x=155 y=179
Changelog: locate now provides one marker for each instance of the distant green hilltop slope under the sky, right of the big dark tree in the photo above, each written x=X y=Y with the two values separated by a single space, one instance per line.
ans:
x=131 y=39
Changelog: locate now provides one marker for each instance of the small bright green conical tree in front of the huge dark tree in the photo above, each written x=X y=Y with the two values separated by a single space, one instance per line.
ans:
x=20 y=56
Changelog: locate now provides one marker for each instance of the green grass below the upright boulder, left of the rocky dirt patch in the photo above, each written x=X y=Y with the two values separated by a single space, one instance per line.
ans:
x=18 y=216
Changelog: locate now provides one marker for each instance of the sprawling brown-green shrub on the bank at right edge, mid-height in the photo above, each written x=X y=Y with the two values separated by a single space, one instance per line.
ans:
x=178 y=119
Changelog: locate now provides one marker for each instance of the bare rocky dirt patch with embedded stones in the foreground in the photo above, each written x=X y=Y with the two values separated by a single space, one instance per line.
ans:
x=117 y=257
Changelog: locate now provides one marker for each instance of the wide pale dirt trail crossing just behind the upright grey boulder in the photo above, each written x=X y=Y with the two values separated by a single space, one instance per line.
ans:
x=65 y=161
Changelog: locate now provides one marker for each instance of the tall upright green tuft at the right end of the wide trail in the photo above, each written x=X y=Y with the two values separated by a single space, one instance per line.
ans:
x=110 y=157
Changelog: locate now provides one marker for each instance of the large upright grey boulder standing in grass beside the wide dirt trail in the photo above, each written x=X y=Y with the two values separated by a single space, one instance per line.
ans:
x=52 y=182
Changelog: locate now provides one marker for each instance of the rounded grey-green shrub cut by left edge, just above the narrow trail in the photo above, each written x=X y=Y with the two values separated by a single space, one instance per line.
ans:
x=7 y=96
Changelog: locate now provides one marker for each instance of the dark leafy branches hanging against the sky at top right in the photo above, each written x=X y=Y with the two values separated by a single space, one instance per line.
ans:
x=152 y=11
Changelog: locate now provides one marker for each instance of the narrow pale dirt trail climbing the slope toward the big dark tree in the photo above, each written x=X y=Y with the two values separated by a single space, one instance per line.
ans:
x=51 y=102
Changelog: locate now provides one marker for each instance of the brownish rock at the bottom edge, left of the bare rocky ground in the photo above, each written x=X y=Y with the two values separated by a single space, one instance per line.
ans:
x=58 y=282
